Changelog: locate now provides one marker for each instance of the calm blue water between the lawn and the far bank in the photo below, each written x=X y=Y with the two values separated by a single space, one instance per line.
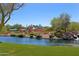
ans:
x=44 y=42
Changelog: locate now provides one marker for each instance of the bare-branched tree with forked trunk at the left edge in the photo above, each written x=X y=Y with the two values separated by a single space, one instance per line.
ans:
x=6 y=10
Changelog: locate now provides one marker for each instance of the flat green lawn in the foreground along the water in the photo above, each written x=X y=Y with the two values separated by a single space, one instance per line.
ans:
x=31 y=50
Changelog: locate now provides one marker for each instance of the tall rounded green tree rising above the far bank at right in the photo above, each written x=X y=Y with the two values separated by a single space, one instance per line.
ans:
x=60 y=24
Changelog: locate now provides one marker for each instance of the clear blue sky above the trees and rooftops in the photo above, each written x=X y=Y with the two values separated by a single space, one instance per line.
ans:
x=42 y=13
